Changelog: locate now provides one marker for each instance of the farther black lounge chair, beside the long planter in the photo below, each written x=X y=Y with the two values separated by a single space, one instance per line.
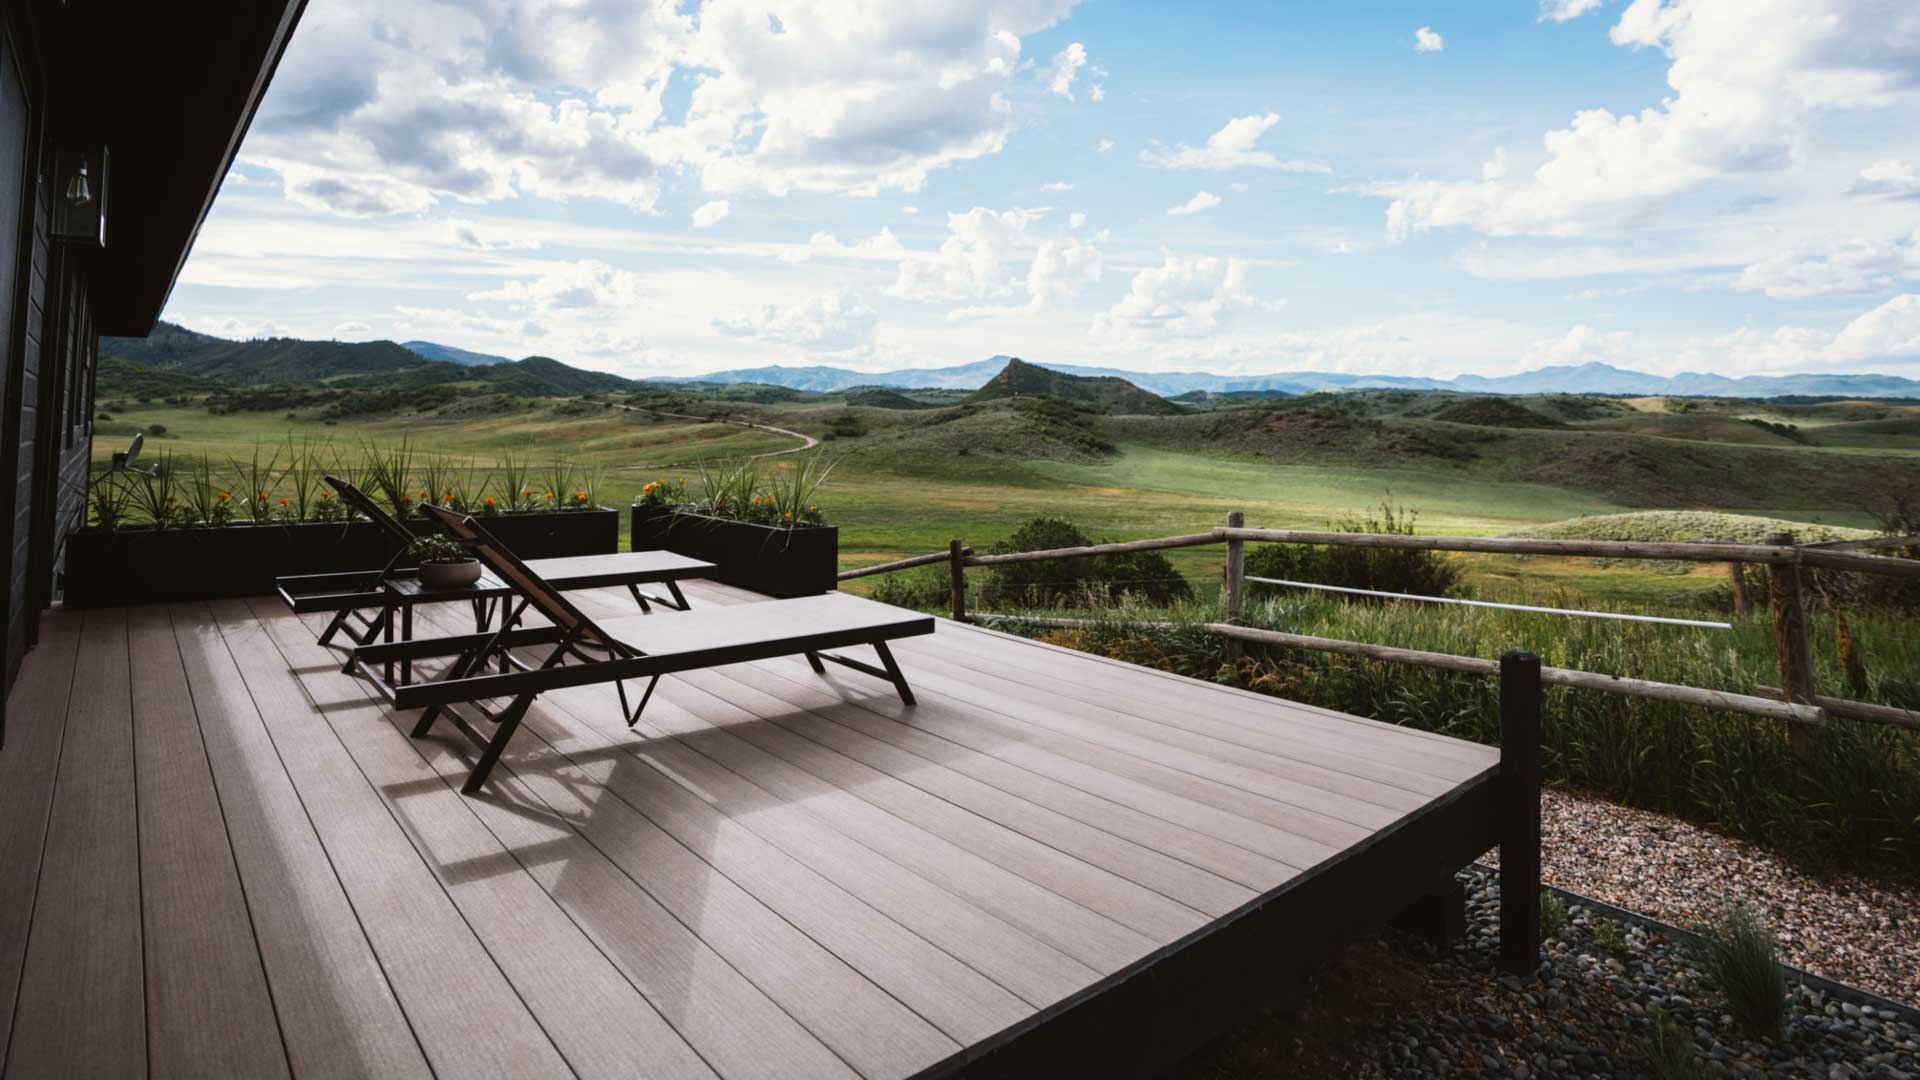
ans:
x=389 y=591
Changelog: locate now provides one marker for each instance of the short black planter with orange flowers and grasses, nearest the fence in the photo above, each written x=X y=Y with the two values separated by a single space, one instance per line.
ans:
x=763 y=531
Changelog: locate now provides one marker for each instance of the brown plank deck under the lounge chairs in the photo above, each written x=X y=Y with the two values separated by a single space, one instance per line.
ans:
x=224 y=858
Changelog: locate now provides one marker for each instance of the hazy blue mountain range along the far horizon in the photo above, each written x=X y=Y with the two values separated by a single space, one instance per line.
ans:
x=1566 y=380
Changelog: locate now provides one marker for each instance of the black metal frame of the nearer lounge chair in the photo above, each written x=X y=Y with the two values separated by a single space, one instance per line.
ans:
x=598 y=658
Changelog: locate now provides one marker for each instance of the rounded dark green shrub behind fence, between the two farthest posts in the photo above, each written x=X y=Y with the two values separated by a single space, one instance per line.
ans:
x=1078 y=583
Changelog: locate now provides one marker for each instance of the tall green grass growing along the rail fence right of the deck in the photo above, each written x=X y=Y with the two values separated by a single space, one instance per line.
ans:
x=1854 y=806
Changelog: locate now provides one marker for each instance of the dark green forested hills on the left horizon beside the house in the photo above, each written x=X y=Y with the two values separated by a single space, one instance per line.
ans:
x=348 y=366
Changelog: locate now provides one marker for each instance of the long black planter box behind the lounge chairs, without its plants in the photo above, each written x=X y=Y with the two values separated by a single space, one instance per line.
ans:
x=158 y=566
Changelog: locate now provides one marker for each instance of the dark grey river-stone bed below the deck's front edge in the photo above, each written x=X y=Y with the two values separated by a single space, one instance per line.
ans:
x=1401 y=1010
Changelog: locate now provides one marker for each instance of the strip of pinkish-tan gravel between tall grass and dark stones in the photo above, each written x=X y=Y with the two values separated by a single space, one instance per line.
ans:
x=1846 y=929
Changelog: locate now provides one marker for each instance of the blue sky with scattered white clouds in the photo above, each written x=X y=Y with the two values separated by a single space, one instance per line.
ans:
x=1424 y=189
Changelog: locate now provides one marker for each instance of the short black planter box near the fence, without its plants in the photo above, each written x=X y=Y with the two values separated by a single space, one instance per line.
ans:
x=773 y=562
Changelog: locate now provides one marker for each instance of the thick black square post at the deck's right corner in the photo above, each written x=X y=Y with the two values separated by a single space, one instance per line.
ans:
x=1518 y=808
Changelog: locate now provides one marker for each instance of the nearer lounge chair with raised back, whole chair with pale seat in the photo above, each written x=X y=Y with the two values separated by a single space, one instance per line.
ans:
x=587 y=654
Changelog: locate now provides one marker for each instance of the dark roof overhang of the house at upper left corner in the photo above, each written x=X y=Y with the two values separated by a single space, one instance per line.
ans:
x=170 y=91
